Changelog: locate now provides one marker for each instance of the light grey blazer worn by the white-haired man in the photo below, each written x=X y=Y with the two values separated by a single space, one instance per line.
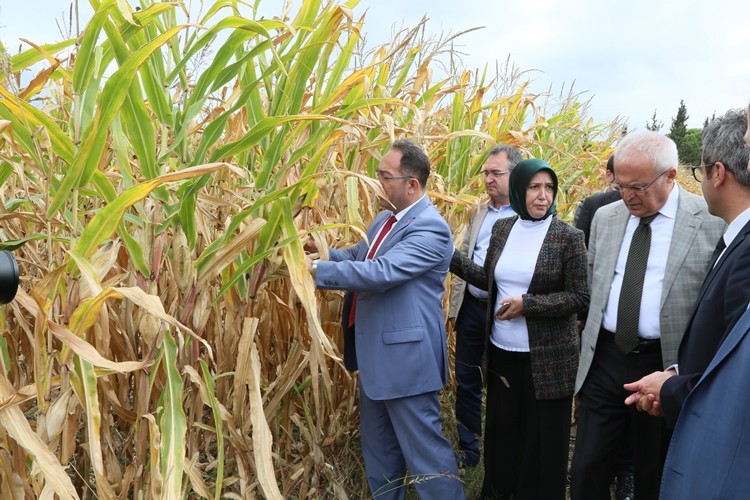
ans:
x=693 y=241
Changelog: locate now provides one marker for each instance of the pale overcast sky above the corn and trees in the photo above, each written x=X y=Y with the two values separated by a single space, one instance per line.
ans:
x=630 y=58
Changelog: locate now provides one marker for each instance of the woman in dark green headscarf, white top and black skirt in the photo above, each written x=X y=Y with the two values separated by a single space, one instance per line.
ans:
x=535 y=271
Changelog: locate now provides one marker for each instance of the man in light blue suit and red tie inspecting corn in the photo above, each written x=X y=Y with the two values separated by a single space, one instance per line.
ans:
x=396 y=326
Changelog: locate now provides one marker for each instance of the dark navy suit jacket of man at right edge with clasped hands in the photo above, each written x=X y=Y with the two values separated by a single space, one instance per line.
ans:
x=722 y=299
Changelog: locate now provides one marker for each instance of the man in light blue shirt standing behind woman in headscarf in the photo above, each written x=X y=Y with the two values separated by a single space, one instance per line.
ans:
x=469 y=303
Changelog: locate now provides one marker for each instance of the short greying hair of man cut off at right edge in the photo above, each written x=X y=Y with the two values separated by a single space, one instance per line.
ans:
x=724 y=140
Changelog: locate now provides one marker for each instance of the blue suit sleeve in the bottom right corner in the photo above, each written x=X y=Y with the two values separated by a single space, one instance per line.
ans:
x=709 y=455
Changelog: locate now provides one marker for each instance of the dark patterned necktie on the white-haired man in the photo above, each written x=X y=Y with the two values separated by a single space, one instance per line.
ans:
x=629 y=305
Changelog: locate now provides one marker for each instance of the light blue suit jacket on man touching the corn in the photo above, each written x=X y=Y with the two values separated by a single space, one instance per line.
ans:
x=400 y=329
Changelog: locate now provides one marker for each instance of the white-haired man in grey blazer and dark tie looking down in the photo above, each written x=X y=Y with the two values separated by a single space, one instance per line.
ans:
x=648 y=255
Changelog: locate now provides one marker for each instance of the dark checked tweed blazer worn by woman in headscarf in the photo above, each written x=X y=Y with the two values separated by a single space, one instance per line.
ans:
x=557 y=292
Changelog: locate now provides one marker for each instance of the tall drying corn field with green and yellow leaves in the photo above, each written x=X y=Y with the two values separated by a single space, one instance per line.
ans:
x=159 y=174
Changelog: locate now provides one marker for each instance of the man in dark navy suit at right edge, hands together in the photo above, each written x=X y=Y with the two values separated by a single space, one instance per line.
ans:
x=725 y=292
